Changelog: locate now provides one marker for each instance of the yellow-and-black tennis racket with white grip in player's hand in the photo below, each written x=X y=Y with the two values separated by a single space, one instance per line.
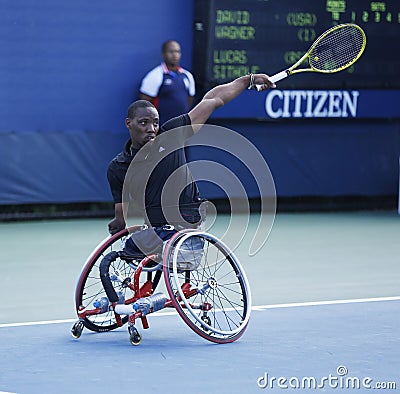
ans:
x=335 y=50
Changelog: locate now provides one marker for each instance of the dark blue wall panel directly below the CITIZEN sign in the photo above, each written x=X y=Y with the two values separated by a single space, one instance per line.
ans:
x=328 y=157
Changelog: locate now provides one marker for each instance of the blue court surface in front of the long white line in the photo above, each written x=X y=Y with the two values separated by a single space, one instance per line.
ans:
x=345 y=347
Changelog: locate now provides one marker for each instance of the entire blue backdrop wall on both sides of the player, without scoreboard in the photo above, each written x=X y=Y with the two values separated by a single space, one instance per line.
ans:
x=69 y=69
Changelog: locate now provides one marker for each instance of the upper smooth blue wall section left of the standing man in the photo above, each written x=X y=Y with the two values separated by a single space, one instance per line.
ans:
x=76 y=65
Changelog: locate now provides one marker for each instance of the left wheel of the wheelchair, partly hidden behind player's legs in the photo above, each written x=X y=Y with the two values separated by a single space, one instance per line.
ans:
x=90 y=288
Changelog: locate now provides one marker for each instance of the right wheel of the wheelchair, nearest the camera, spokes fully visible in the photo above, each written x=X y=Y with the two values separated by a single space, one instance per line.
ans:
x=207 y=286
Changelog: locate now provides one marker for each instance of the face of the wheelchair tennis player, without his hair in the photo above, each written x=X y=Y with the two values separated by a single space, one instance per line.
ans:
x=143 y=127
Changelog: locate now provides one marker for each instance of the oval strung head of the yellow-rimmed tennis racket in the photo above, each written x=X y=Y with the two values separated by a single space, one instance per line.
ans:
x=338 y=49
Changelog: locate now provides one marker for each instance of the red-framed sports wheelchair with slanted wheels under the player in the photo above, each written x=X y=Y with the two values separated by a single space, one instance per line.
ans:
x=205 y=282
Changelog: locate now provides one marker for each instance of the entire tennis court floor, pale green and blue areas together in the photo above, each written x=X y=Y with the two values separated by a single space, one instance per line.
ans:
x=325 y=318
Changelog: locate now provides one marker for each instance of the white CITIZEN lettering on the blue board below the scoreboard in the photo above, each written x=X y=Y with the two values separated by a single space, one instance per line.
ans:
x=311 y=103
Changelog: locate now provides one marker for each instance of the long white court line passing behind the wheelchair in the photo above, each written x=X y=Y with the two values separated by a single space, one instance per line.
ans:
x=254 y=308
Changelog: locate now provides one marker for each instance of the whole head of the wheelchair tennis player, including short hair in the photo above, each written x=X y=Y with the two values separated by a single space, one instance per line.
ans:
x=142 y=122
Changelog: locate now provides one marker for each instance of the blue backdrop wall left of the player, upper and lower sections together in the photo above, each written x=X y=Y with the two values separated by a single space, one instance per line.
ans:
x=68 y=71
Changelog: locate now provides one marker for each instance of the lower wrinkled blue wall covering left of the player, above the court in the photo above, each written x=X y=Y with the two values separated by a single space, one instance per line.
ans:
x=56 y=167
